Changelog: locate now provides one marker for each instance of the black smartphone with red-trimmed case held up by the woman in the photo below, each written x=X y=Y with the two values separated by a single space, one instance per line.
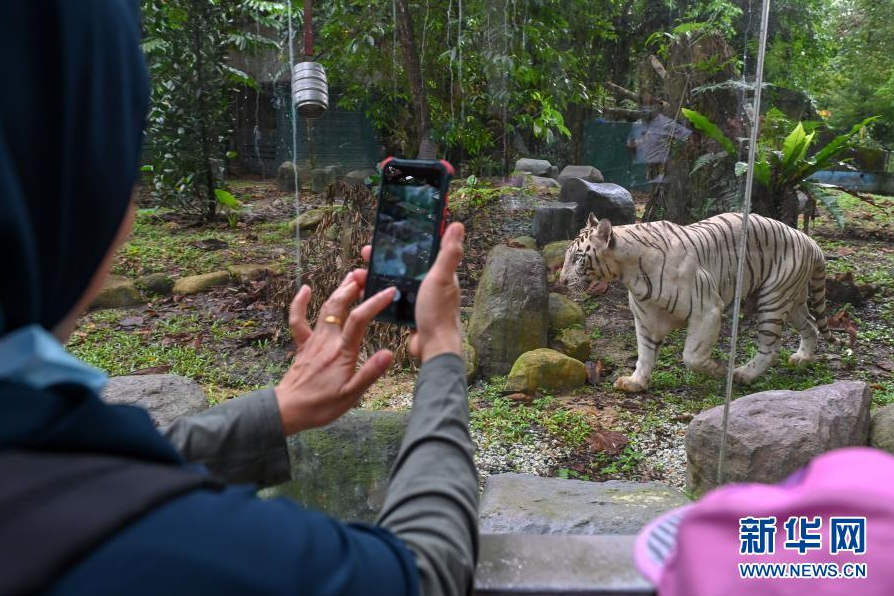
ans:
x=410 y=220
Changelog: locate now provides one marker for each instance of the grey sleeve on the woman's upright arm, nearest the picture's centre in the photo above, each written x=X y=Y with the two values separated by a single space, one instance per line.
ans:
x=432 y=500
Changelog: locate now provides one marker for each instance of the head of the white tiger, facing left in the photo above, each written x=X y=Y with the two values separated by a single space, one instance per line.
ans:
x=589 y=259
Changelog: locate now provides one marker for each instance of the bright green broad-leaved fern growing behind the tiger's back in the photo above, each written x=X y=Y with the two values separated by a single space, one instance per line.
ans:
x=783 y=167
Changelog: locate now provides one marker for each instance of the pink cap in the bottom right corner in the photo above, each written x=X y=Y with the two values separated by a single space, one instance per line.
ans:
x=852 y=482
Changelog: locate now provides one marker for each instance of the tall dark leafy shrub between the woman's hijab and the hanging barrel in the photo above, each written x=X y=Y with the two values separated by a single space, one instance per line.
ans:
x=187 y=43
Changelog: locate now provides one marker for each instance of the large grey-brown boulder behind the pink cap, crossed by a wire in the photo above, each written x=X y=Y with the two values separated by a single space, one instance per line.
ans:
x=773 y=433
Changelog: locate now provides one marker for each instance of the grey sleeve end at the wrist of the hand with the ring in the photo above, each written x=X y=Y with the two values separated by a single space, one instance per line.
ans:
x=240 y=440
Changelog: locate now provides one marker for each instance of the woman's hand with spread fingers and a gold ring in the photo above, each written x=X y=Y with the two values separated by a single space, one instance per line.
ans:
x=323 y=382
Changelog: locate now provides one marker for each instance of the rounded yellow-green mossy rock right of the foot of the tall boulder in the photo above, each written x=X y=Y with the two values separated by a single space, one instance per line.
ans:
x=545 y=369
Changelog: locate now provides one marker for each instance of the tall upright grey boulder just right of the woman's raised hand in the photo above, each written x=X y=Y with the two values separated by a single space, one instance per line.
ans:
x=510 y=312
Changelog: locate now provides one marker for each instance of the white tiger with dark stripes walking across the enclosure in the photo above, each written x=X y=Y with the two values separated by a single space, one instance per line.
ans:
x=680 y=276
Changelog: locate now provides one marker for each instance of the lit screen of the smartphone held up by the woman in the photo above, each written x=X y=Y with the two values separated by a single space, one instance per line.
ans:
x=405 y=227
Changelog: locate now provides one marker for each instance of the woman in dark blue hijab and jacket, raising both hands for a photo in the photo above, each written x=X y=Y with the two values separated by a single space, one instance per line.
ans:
x=95 y=500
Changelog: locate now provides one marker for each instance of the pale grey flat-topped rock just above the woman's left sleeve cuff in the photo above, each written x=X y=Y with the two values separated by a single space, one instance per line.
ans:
x=165 y=397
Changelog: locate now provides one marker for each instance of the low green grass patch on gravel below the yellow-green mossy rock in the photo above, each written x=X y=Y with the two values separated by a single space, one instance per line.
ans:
x=501 y=420
